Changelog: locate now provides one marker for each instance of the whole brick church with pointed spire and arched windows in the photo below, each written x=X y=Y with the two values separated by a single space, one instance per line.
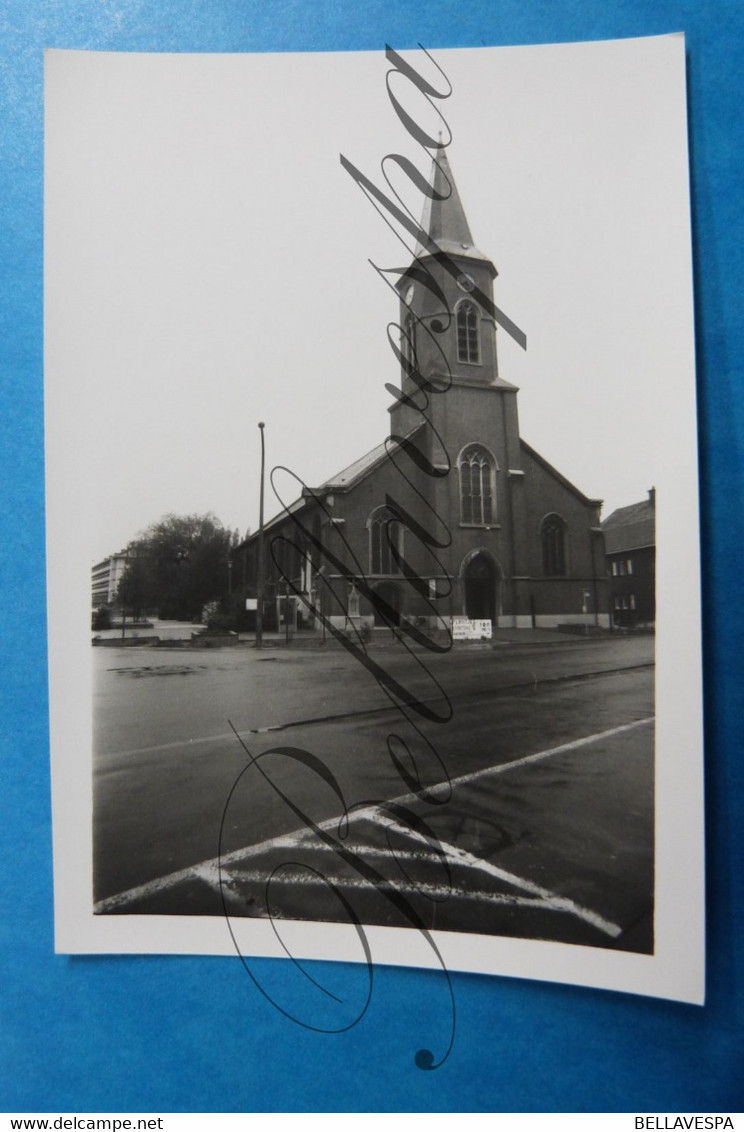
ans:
x=454 y=516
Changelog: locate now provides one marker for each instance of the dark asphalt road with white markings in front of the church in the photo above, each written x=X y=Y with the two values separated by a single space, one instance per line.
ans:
x=517 y=797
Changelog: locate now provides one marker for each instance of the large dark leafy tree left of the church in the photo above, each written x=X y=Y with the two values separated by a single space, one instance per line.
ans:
x=177 y=567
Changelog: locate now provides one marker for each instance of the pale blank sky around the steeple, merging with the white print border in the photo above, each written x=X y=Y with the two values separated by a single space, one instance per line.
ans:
x=208 y=267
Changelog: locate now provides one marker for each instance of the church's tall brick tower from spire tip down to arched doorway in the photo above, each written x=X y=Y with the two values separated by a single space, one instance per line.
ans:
x=457 y=409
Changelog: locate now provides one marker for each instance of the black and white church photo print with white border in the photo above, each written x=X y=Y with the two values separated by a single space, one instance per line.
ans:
x=372 y=510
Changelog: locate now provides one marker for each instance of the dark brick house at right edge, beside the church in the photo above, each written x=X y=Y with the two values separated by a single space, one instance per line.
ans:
x=630 y=547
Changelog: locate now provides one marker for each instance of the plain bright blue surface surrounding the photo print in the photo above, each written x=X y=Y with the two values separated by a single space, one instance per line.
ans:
x=194 y=1035
